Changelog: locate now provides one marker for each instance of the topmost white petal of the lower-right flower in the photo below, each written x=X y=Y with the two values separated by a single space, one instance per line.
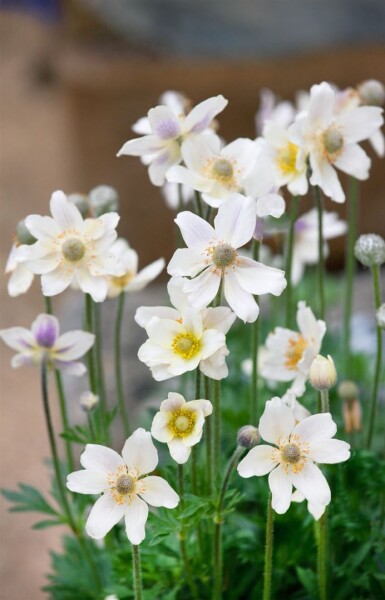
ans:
x=276 y=422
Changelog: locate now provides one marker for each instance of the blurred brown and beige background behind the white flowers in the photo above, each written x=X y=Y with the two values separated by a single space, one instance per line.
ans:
x=75 y=75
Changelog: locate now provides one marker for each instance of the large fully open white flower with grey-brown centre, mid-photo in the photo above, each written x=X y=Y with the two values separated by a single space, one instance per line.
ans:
x=212 y=254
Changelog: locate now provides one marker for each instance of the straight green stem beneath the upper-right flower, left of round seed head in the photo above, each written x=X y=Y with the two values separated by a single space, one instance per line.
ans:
x=350 y=267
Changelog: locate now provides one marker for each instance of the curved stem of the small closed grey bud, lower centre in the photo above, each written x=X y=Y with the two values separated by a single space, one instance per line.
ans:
x=217 y=559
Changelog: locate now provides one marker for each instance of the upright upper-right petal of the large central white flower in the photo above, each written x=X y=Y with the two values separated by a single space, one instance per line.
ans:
x=235 y=221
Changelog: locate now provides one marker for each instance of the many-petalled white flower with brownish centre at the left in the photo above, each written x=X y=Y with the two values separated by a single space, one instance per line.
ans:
x=70 y=249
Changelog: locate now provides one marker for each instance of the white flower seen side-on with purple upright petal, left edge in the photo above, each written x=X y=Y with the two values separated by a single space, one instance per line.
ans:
x=43 y=342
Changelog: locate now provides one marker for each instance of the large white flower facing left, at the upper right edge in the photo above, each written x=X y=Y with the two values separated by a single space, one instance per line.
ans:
x=330 y=139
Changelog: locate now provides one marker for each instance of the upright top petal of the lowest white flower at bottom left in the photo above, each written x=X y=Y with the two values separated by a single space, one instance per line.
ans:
x=139 y=452
